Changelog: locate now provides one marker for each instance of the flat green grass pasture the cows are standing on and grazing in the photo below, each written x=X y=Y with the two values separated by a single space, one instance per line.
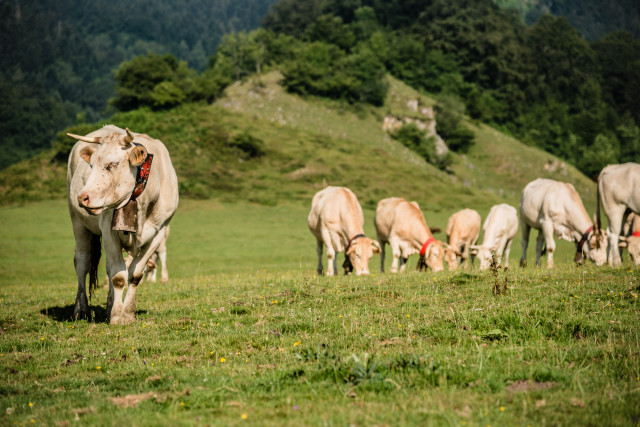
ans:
x=246 y=333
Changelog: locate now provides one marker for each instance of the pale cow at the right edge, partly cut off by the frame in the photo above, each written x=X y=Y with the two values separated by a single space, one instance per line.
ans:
x=619 y=192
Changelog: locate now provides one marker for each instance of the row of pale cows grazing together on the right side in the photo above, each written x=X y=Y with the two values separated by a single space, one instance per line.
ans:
x=553 y=208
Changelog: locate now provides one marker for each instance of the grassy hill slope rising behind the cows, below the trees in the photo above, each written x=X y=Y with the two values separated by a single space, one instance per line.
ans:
x=261 y=144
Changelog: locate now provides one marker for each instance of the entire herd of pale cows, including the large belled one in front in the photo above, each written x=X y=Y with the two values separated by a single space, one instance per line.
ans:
x=123 y=191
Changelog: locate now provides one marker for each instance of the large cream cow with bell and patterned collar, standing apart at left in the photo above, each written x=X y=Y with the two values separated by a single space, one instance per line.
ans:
x=116 y=181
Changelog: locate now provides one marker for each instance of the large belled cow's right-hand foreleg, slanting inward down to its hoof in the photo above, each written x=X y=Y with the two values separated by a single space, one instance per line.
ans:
x=136 y=270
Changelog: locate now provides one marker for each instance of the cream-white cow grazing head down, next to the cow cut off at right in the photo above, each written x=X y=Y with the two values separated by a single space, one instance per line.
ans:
x=555 y=207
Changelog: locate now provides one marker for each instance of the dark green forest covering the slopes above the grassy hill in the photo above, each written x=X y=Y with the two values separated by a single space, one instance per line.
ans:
x=524 y=70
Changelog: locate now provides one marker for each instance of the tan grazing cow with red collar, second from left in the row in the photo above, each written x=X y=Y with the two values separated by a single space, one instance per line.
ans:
x=401 y=224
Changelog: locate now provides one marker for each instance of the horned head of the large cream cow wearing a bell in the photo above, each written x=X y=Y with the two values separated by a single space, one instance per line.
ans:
x=114 y=161
